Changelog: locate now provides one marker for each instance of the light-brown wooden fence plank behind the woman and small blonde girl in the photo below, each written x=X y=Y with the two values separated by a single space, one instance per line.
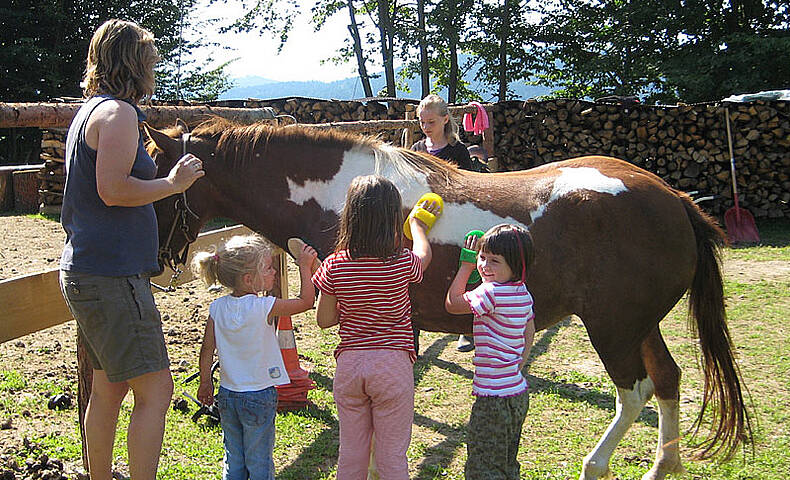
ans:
x=34 y=302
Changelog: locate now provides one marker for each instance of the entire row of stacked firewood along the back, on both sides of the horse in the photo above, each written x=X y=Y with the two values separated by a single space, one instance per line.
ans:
x=686 y=145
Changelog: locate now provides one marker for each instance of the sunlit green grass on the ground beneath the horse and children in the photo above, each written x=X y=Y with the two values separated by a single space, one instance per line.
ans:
x=572 y=399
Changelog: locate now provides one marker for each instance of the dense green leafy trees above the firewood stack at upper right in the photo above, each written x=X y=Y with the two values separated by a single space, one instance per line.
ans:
x=696 y=50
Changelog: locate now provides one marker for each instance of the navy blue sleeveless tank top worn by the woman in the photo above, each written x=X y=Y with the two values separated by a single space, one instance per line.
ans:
x=103 y=240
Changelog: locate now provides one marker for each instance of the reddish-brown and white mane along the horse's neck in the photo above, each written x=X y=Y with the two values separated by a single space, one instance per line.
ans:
x=237 y=142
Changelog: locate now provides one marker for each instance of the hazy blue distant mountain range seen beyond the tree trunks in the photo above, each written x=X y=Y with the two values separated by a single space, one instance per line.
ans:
x=350 y=88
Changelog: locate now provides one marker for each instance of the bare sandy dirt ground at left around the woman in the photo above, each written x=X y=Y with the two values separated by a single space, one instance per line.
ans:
x=31 y=245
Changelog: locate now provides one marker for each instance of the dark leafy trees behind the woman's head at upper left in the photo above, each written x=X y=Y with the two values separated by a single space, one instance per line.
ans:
x=44 y=43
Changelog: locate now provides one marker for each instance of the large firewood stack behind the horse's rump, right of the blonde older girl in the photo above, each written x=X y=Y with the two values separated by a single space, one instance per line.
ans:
x=686 y=145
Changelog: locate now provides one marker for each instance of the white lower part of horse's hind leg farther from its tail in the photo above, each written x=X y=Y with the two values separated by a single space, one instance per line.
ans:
x=629 y=404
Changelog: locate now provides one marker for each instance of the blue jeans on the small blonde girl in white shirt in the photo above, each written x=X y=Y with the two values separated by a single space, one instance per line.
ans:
x=247 y=420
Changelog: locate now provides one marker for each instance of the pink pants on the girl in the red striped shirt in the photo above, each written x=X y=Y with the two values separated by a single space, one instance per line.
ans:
x=374 y=392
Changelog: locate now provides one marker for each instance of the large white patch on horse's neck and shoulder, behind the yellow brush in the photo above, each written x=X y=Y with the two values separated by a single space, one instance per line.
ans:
x=456 y=220
